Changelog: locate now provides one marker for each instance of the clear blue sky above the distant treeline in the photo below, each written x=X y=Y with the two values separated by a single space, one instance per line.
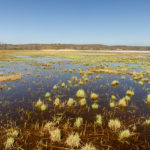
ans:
x=109 y=22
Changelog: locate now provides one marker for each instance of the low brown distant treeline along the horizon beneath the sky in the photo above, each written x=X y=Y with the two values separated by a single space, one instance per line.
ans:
x=70 y=46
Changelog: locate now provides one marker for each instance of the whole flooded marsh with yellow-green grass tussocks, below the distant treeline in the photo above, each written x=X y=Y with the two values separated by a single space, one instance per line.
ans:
x=69 y=99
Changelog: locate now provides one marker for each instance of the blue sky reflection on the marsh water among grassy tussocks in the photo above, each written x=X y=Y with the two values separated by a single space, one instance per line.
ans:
x=49 y=77
